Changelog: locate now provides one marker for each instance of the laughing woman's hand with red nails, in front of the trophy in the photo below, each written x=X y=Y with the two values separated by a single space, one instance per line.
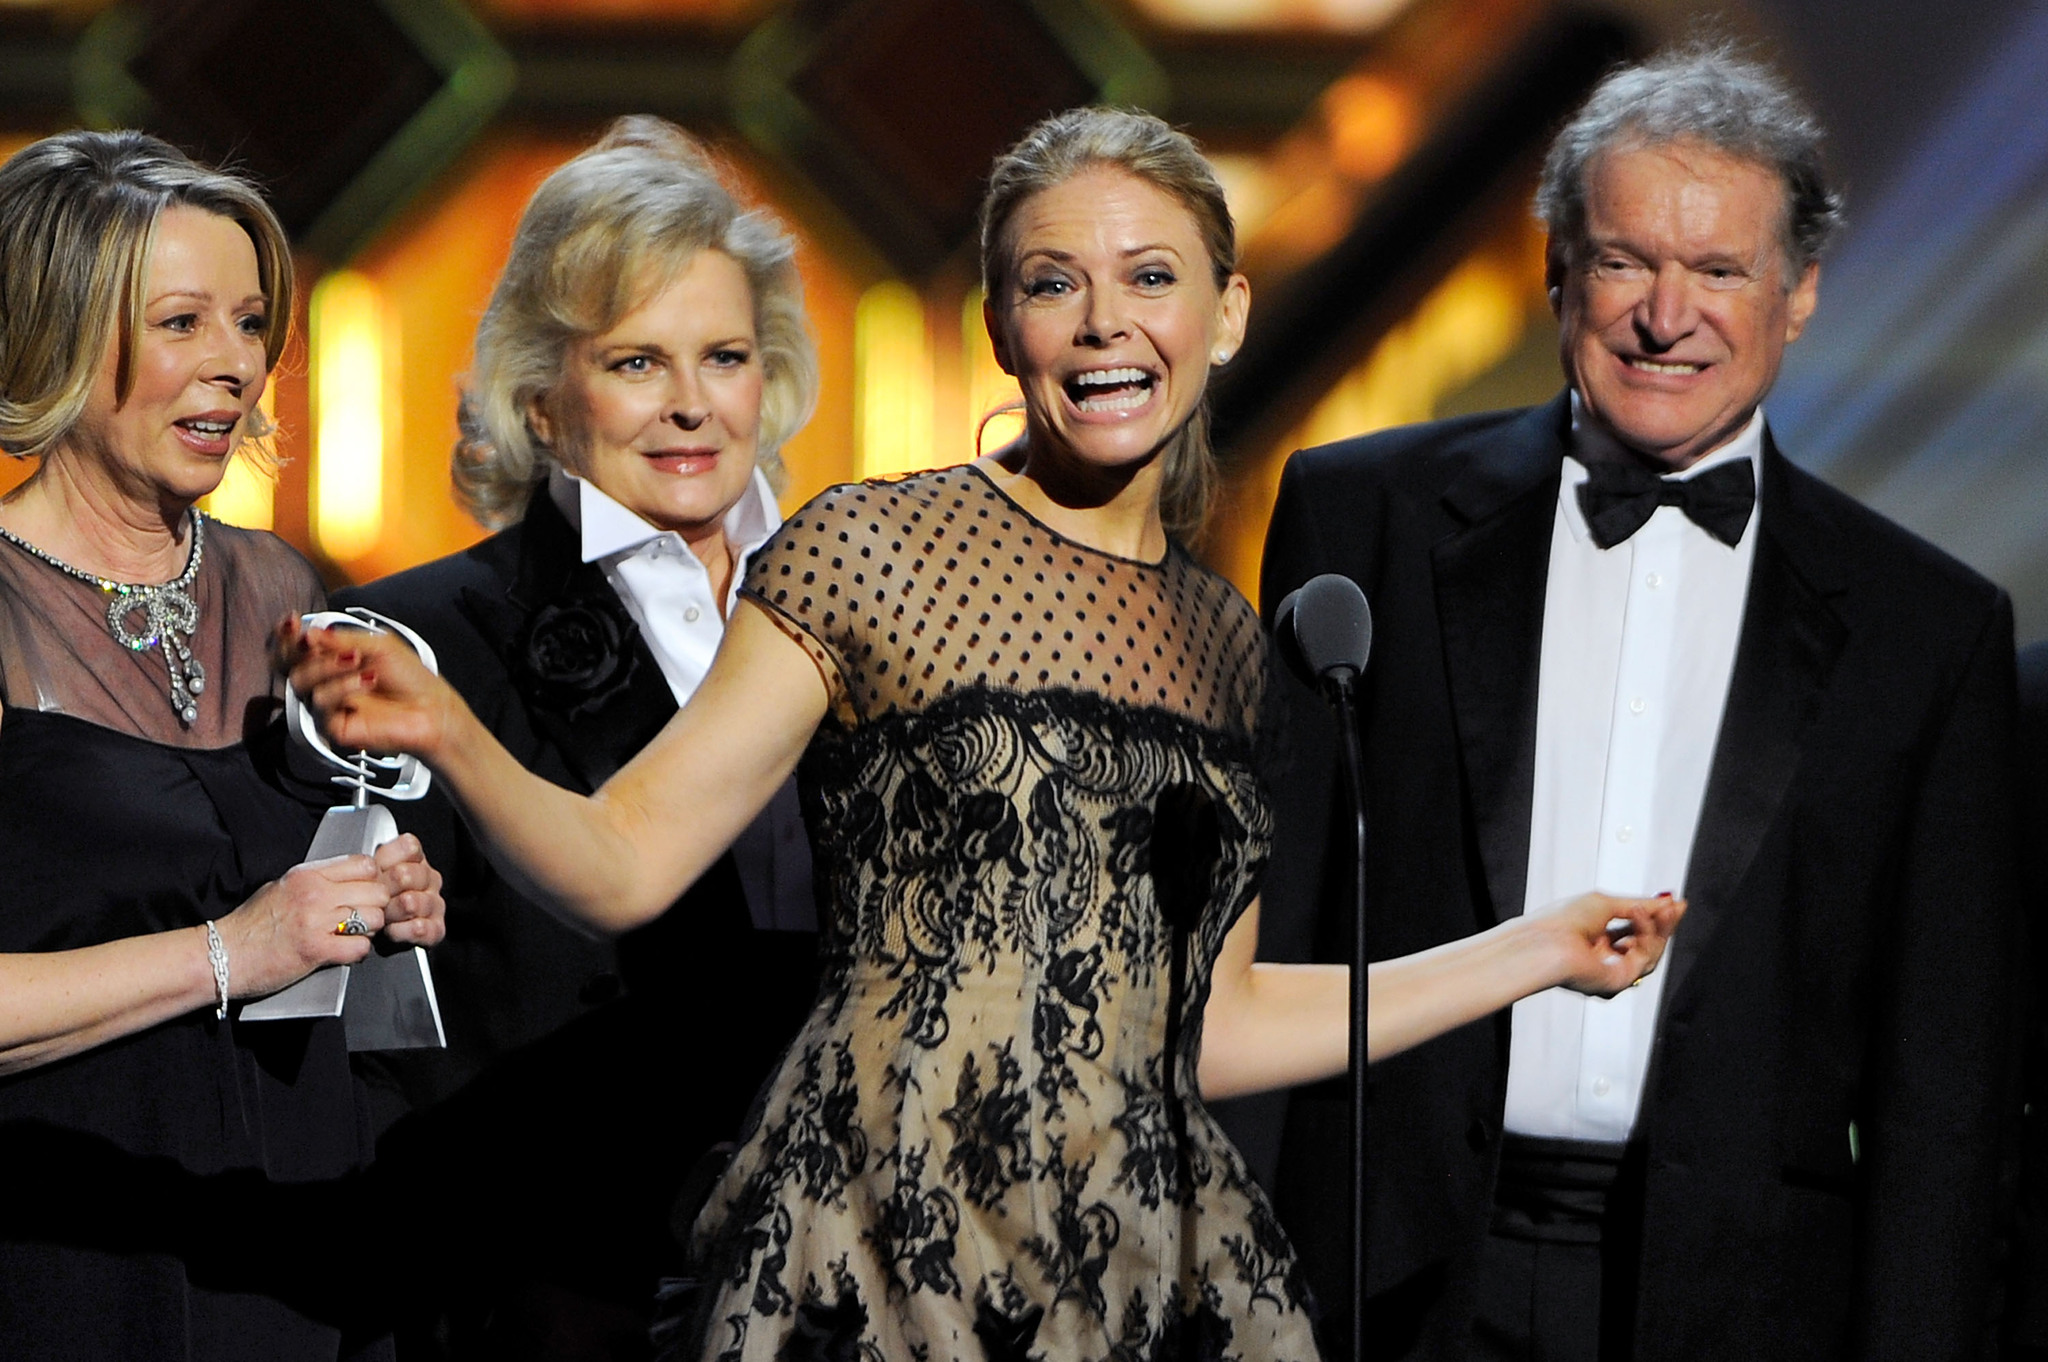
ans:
x=370 y=691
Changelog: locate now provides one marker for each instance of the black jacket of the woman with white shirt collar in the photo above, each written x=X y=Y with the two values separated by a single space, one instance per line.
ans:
x=585 y=1078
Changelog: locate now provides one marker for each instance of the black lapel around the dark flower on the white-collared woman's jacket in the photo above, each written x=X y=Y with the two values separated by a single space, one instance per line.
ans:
x=601 y=738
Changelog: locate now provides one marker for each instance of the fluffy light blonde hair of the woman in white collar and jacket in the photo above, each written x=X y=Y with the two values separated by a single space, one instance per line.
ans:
x=605 y=232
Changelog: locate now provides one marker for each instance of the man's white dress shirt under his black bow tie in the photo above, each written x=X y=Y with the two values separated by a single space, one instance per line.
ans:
x=1637 y=650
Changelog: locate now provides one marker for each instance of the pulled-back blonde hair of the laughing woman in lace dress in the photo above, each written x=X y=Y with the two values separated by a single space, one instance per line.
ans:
x=1166 y=159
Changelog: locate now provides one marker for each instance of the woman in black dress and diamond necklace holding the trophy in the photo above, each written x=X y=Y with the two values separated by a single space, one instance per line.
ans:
x=144 y=818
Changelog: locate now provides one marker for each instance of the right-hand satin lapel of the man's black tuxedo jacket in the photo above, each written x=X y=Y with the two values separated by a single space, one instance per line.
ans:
x=1783 y=665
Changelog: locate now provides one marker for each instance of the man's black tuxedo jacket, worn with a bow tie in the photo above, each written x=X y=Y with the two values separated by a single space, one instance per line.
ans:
x=1820 y=1132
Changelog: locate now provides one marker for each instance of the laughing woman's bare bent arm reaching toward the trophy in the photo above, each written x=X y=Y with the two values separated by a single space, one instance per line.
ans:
x=620 y=857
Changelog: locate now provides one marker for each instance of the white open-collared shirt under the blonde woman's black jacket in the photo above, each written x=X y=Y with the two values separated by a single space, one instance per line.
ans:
x=671 y=597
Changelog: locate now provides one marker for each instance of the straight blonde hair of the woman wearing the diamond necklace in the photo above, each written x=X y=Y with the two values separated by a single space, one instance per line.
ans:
x=79 y=218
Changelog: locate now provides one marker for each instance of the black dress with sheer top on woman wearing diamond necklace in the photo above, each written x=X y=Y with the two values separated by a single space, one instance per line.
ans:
x=187 y=1191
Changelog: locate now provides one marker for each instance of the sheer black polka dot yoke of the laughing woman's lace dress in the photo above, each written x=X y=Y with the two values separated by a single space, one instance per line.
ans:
x=910 y=591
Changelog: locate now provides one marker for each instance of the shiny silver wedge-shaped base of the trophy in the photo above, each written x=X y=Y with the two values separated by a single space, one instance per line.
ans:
x=386 y=1001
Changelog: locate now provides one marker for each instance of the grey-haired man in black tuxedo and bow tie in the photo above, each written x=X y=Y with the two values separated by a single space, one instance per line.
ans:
x=1623 y=644
